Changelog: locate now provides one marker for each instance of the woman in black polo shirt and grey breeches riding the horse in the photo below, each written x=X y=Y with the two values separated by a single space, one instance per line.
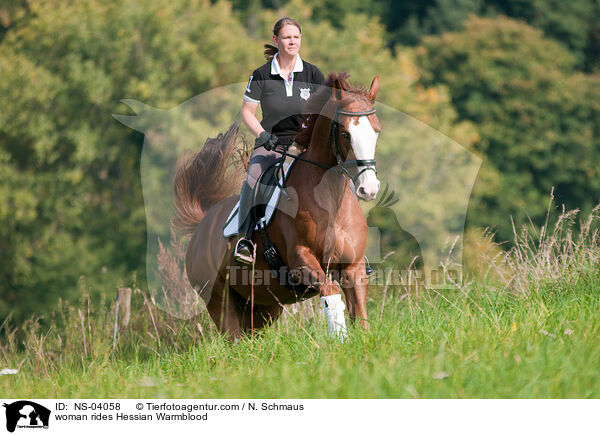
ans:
x=281 y=86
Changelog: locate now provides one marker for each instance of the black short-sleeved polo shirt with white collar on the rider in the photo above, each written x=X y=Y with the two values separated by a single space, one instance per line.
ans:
x=282 y=100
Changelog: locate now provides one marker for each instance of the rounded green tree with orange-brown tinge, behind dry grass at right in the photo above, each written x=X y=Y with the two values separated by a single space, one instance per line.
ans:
x=537 y=117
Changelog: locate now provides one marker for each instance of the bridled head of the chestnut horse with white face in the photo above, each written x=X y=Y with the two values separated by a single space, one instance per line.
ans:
x=353 y=135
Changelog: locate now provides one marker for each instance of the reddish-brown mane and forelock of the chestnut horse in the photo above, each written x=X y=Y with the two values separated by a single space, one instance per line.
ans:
x=315 y=103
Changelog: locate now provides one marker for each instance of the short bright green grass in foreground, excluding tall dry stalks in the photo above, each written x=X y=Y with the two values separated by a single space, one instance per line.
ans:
x=485 y=344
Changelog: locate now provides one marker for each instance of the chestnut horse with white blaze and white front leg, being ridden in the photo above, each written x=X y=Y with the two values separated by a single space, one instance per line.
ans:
x=325 y=237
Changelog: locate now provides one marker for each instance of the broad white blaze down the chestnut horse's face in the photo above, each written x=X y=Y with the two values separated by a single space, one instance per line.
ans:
x=364 y=139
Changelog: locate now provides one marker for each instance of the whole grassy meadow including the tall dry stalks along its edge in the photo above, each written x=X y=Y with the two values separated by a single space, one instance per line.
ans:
x=535 y=335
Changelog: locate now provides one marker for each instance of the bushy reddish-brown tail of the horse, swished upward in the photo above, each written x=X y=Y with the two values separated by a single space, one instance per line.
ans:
x=205 y=178
